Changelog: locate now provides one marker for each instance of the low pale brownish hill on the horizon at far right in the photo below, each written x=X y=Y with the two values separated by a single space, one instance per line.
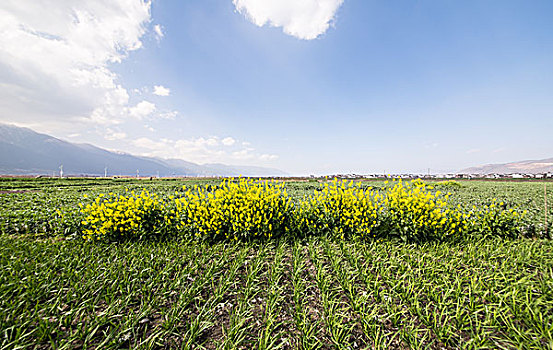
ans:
x=522 y=167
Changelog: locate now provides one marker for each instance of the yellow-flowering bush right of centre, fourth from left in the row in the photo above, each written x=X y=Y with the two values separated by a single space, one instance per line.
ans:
x=415 y=212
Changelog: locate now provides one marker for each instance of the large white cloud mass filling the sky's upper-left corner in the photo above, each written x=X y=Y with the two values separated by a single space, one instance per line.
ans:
x=55 y=58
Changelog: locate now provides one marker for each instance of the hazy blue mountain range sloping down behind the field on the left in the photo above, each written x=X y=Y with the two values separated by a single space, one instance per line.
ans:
x=24 y=151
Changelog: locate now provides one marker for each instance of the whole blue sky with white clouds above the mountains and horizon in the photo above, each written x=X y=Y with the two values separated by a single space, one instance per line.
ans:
x=308 y=87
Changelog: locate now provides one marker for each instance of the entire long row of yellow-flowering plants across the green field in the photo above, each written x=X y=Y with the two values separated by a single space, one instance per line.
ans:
x=246 y=209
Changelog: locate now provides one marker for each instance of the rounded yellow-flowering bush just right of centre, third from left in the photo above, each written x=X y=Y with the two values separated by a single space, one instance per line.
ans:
x=340 y=208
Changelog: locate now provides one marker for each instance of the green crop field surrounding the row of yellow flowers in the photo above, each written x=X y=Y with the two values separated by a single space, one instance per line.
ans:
x=57 y=291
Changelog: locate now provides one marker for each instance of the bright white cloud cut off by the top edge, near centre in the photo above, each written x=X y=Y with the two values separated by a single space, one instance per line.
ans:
x=305 y=19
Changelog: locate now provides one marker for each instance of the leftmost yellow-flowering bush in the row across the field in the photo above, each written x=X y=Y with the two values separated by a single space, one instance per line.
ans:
x=114 y=216
